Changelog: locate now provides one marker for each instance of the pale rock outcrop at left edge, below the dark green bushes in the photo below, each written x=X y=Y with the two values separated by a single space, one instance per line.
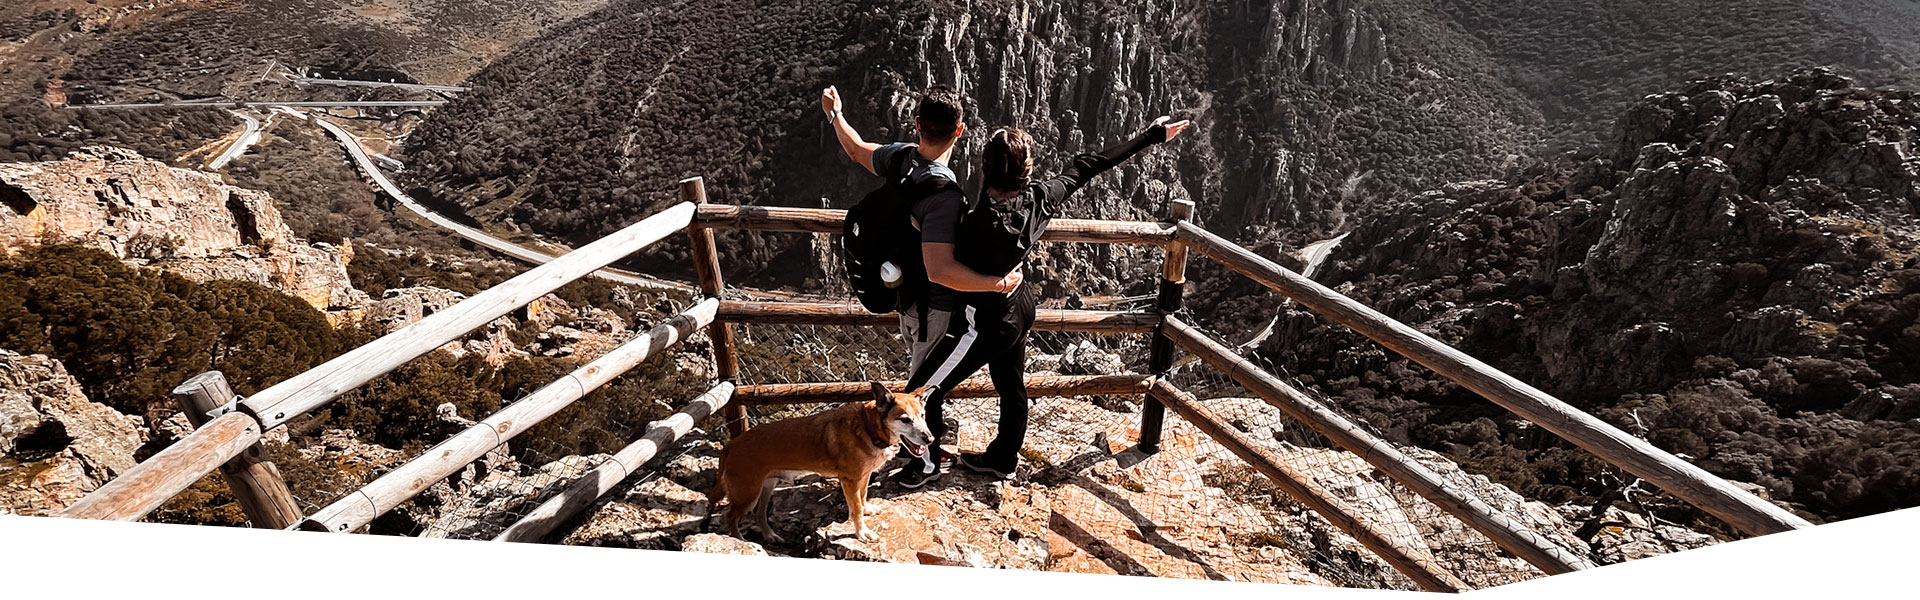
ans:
x=57 y=445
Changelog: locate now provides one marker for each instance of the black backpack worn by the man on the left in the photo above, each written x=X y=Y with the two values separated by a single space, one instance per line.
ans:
x=880 y=232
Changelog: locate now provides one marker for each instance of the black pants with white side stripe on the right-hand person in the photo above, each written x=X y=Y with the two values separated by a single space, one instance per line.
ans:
x=988 y=332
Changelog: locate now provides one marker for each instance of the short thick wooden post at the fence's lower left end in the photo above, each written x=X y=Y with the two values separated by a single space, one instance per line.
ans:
x=252 y=478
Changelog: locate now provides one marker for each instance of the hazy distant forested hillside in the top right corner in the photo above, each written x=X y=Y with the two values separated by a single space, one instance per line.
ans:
x=1585 y=62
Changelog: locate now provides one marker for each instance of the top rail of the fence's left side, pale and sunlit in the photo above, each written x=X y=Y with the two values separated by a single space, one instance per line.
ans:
x=331 y=380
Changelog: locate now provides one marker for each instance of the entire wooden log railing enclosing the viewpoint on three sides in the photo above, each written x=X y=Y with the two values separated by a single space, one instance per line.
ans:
x=235 y=430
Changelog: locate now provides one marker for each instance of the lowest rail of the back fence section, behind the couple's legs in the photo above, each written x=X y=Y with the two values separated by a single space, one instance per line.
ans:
x=978 y=387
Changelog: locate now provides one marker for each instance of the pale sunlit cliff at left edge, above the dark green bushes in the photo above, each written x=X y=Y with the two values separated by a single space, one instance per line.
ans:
x=176 y=220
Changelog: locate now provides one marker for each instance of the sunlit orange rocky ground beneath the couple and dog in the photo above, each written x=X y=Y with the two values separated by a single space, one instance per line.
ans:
x=1086 y=503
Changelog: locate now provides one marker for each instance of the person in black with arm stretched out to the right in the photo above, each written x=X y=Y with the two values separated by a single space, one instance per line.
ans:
x=992 y=328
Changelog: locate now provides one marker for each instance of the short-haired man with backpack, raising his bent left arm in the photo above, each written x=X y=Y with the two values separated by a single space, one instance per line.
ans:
x=938 y=122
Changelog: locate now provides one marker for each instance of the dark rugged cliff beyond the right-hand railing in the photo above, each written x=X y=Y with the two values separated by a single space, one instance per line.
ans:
x=1735 y=278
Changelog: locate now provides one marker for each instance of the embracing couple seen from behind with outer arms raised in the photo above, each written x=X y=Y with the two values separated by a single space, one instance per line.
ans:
x=963 y=297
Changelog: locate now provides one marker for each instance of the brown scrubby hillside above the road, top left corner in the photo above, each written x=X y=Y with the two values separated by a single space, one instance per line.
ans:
x=118 y=51
